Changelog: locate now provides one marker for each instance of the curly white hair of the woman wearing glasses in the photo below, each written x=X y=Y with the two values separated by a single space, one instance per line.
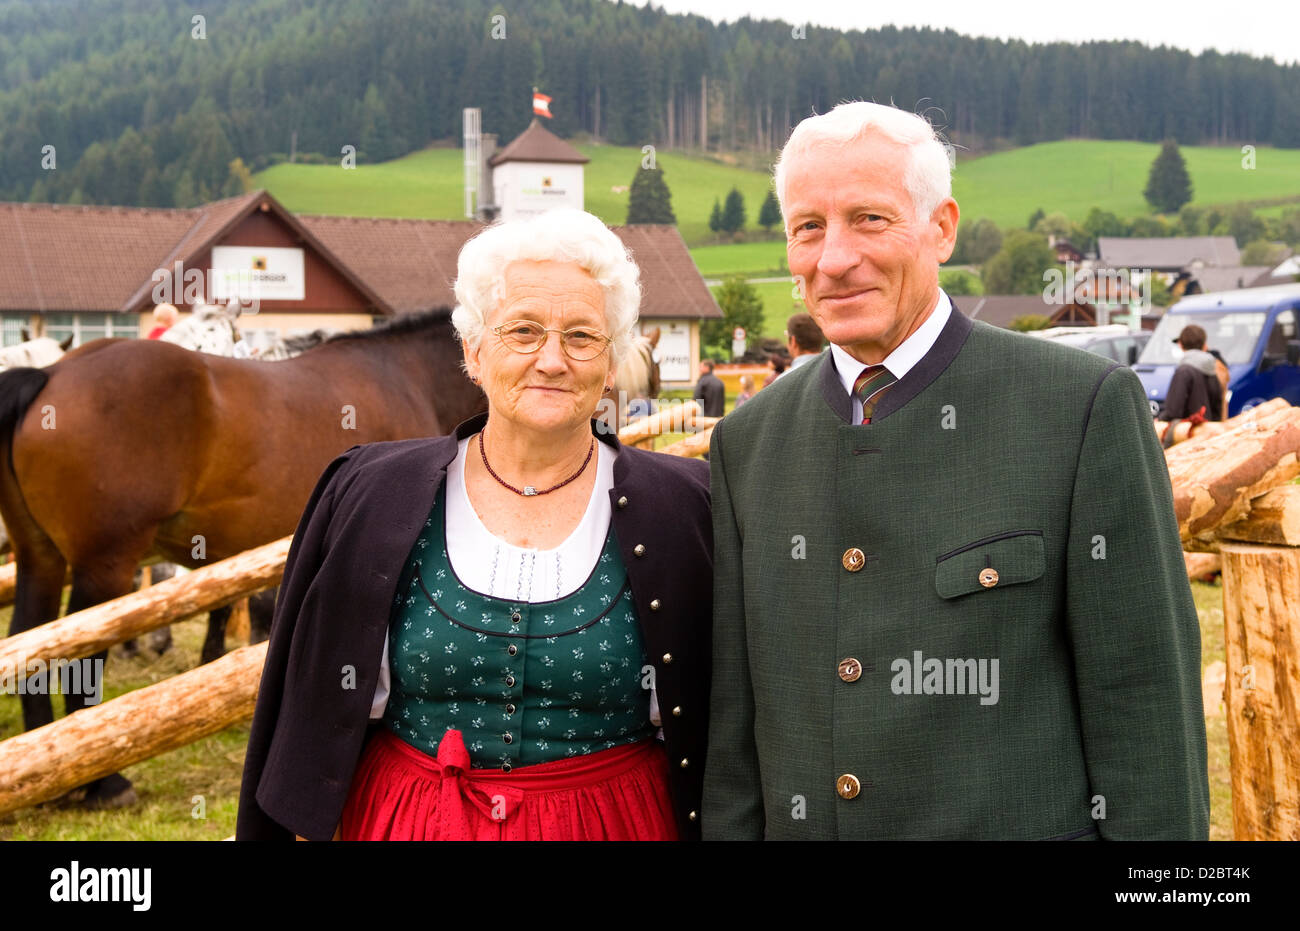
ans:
x=562 y=235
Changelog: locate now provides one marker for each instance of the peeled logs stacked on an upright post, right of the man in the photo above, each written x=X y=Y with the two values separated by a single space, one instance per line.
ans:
x=1234 y=497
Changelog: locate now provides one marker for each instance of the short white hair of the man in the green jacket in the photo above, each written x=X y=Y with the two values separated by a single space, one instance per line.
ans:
x=929 y=174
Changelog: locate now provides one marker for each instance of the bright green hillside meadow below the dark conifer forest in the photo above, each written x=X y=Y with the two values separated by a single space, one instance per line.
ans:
x=1069 y=177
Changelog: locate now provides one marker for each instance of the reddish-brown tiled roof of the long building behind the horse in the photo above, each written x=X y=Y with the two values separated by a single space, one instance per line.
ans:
x=59 y=258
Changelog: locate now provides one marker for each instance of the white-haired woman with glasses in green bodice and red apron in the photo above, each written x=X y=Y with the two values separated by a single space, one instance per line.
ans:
x=501 y=634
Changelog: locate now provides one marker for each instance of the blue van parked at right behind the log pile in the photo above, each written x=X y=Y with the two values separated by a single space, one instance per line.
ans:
x=1254 y=330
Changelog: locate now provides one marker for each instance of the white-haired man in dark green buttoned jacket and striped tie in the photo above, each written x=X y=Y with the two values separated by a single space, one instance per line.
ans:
x=950 y=591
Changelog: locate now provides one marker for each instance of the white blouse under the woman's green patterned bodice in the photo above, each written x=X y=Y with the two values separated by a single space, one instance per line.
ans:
x=491 y=566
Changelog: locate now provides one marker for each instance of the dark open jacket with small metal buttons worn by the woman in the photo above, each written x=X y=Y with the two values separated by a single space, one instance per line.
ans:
x=353 y=542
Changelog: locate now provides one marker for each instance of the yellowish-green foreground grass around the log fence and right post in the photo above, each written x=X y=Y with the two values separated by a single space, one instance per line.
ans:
x=170 y=786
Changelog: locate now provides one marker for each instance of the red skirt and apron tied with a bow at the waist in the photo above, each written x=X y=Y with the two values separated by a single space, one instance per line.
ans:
x=401 y=794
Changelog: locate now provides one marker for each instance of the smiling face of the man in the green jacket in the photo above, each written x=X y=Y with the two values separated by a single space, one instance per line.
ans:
x=870 y=267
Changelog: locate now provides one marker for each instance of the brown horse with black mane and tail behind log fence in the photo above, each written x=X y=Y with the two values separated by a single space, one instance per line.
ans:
x=131 y=449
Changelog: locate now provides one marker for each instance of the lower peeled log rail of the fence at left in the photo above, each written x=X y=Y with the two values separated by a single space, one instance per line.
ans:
x=96 y=742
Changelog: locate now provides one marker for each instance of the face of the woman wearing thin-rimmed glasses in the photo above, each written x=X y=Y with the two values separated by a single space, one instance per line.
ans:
x=544 y=391
